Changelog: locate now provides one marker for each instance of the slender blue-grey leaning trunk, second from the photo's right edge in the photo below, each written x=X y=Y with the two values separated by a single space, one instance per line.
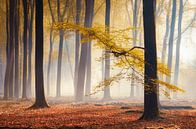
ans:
x=171 y=39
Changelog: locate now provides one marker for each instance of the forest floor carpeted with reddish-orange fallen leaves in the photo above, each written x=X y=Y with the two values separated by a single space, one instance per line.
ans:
x=121 y=114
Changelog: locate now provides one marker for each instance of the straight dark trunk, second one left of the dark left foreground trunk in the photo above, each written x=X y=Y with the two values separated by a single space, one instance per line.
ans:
x=25 y=13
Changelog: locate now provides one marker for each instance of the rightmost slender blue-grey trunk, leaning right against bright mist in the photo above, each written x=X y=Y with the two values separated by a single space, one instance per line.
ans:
x=176 y=72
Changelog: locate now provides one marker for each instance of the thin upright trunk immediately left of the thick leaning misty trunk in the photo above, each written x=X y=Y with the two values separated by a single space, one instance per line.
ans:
x=77 y=43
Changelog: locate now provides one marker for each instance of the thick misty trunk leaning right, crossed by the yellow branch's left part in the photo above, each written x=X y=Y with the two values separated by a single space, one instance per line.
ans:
x=83 y=55
